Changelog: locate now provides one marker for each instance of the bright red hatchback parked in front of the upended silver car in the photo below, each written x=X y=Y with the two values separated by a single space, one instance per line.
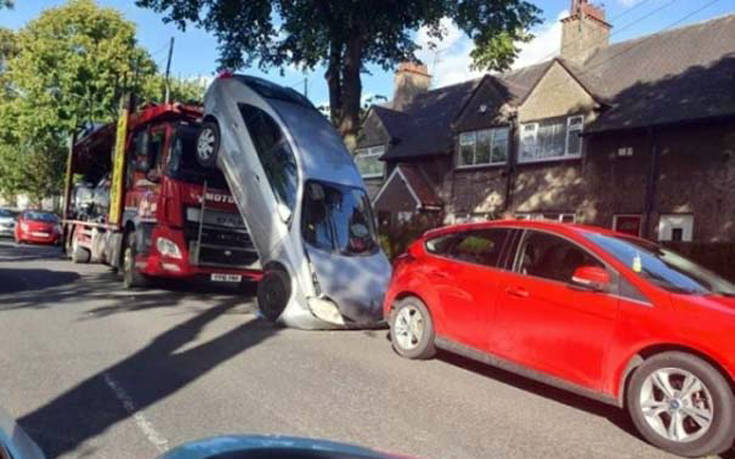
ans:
x=603 y=314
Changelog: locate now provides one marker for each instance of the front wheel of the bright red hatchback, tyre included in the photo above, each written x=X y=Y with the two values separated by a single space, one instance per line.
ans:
x=682 y=404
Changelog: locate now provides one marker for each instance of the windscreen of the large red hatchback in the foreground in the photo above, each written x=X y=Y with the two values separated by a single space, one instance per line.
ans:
x=663 y=266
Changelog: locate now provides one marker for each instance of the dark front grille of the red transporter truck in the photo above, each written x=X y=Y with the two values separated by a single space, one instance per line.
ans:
x=224 y=246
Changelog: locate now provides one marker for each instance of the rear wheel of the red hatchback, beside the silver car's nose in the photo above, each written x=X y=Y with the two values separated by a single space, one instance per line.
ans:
x=412 y=330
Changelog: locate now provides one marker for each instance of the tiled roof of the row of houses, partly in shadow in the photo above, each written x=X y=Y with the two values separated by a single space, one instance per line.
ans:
x=672 y=76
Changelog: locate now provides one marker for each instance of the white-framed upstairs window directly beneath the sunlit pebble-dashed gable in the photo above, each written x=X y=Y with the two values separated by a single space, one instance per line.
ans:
x=551 y=139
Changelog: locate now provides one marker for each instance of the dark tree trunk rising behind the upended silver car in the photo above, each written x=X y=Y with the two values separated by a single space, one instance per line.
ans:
x=348 y=120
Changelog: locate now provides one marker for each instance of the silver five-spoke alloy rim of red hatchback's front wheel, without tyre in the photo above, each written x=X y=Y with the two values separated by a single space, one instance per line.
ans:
x=676 y=405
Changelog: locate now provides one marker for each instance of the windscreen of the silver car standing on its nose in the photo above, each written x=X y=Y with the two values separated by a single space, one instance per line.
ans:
x=338 y=218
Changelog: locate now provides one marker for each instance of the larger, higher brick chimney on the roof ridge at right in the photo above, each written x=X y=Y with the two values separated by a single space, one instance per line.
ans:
x=583 y=31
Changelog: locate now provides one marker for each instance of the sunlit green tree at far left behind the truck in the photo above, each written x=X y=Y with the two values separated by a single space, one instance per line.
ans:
x=67 y=67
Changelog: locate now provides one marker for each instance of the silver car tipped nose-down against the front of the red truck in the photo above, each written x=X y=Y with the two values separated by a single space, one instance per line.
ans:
x=303 y=201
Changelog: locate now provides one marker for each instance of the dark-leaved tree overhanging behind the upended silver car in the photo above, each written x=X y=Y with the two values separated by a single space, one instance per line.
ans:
x=345 y=35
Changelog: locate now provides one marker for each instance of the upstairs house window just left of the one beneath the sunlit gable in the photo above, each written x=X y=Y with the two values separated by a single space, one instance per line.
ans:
x=488 y=146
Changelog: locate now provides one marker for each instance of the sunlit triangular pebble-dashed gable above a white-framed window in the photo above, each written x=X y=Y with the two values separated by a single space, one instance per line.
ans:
x=557 y=93
